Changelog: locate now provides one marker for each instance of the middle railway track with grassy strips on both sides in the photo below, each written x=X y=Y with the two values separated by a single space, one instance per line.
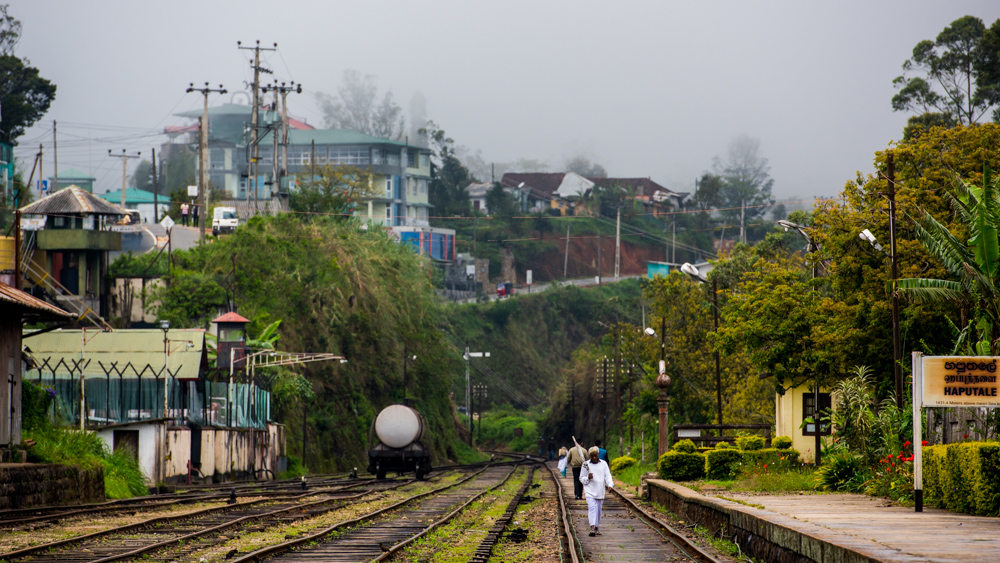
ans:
x=381 y=534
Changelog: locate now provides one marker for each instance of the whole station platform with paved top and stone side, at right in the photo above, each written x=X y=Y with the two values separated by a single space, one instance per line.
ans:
x=834 y=528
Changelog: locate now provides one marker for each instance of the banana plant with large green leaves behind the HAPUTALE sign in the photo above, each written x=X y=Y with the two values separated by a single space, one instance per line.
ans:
x=973 y=263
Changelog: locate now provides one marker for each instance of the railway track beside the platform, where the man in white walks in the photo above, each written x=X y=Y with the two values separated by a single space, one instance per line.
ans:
x=629 y=531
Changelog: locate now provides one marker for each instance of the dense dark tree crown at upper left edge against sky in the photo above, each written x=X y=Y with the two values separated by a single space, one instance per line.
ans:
x=24 y=96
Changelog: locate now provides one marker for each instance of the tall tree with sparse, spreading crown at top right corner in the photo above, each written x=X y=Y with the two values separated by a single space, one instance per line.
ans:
x=946 y=74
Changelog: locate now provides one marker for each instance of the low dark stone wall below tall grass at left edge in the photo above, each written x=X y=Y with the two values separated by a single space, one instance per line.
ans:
x=28 y=485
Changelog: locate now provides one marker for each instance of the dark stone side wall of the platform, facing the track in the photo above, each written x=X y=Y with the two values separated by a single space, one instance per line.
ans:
x=776 y=538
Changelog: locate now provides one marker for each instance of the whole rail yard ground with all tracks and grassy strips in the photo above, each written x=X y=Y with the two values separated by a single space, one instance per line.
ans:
x=473 y=512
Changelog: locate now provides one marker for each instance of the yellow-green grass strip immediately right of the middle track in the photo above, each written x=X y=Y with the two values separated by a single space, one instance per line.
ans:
x=458 y=539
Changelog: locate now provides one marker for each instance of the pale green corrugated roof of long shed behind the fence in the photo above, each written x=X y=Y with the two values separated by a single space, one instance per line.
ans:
x=141 y=347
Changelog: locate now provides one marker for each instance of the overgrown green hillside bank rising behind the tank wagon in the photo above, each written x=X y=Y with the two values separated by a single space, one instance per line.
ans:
x=337 y=288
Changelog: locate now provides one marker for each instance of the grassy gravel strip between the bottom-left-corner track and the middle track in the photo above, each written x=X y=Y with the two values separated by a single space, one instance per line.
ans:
x=274 y=533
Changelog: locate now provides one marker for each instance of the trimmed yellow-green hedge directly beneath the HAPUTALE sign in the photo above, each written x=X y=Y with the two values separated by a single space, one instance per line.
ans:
x=962 y=477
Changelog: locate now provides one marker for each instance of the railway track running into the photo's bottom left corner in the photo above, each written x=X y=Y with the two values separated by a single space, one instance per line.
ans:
x=195 y=530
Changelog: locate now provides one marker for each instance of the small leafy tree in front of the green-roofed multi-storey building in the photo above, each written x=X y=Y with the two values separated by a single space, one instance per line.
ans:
x=332 y=190
